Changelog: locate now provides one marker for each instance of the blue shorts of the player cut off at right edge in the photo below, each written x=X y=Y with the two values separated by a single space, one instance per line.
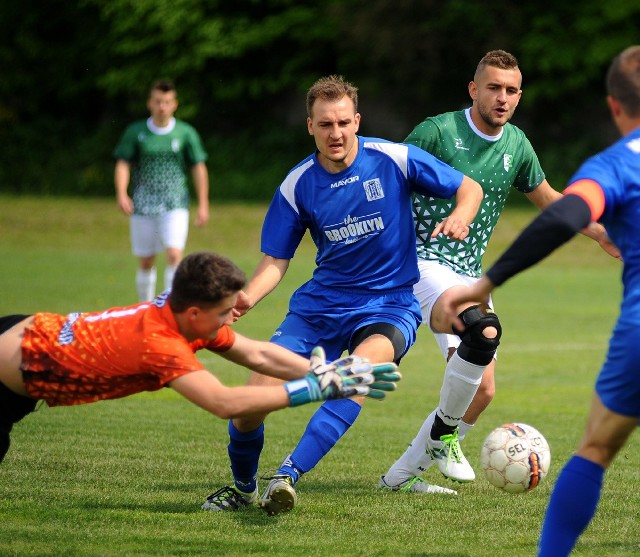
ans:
x=618 y=384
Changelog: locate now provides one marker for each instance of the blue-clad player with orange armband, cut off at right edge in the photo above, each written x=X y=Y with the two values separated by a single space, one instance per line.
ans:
x=605 y=188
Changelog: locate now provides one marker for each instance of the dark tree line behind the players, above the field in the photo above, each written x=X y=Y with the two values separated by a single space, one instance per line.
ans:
x=76 y=73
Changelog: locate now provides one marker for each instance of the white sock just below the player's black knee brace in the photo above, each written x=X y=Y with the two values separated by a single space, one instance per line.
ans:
x=460 y=384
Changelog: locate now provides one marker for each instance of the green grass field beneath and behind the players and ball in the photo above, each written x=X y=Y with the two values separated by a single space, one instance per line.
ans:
x=127 y=477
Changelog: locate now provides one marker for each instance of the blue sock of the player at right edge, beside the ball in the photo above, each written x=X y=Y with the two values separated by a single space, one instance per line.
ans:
x=572 y=505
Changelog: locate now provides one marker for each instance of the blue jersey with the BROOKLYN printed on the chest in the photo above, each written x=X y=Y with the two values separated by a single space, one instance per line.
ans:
x=360 y=219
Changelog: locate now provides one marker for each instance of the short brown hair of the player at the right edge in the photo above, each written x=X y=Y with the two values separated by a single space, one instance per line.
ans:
x=623 y=80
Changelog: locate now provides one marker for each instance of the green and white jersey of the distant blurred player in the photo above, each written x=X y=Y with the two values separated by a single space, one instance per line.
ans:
x=159 y=160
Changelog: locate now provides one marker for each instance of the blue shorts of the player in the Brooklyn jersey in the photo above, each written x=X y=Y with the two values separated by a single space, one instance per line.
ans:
x=328 y=317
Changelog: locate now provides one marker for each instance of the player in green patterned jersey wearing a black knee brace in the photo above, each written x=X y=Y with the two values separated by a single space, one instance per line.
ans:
x=481 y=143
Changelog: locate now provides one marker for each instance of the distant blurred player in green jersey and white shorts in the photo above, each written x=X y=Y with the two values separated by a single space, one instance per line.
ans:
x=153 y=156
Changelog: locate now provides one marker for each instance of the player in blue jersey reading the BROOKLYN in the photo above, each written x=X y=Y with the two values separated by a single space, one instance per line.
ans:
x=354 y=196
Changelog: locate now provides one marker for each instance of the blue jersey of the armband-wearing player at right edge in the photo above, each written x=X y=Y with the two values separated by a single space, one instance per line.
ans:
x=617 y=170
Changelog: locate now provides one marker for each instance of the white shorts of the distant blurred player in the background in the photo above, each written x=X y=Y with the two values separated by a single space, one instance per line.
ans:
x=151 y=235
